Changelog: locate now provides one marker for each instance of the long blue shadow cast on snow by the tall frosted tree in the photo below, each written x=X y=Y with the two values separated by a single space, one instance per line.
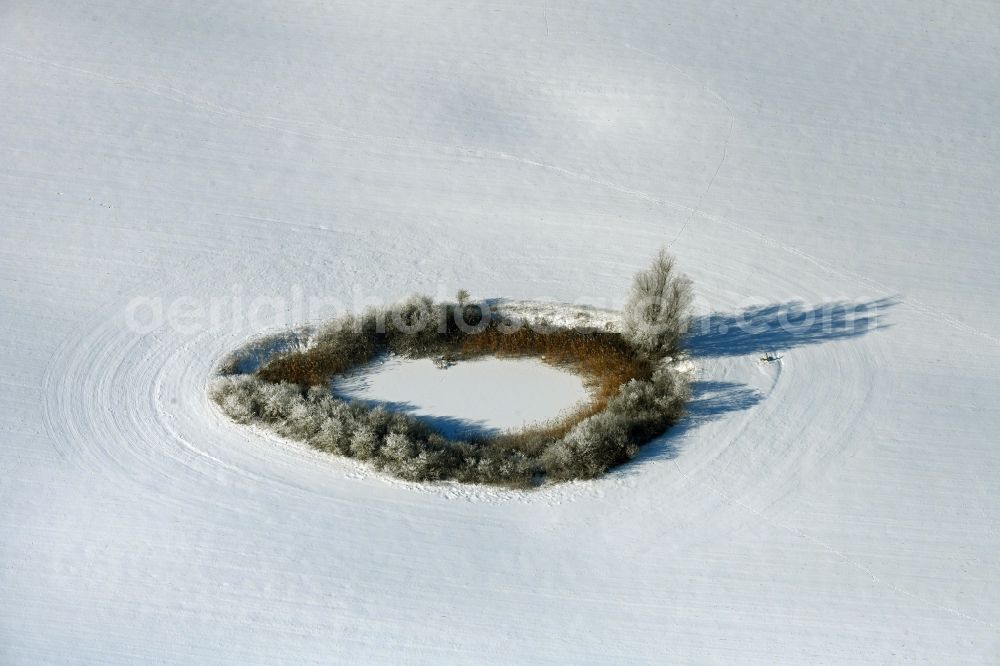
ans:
x=784 y=326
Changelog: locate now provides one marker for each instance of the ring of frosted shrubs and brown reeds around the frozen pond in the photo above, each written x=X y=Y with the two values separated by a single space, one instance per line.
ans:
x=638 y=393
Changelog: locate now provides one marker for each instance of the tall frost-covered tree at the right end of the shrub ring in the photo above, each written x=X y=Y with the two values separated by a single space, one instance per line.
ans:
x=657 y=313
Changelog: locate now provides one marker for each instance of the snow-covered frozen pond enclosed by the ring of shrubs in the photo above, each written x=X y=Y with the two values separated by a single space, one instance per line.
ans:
x=483 y=395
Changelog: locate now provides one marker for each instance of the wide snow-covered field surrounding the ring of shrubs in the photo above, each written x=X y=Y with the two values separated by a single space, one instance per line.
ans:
x=232 y=163
